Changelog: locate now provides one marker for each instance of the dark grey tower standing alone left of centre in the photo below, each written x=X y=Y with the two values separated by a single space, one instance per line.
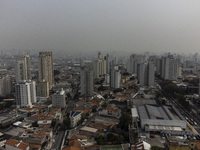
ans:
x=87 y=81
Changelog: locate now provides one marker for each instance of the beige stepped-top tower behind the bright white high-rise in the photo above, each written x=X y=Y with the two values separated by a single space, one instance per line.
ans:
x=23 y=69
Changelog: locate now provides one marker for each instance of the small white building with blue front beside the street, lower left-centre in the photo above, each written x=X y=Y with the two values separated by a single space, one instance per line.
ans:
x=75 y=116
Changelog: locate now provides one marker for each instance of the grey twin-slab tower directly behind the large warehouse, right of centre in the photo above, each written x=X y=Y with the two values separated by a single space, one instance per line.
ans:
x=145 y=75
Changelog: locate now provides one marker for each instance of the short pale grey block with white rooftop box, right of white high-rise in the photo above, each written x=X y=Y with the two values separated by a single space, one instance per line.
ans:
x=58 y=99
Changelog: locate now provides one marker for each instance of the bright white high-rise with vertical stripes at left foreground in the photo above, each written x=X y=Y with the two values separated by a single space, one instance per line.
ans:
x=25 y=94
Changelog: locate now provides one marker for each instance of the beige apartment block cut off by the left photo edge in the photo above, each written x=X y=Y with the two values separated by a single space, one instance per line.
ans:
x=5 y=85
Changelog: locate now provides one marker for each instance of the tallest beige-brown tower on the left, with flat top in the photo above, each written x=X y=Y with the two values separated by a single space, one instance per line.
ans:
x=45 y=64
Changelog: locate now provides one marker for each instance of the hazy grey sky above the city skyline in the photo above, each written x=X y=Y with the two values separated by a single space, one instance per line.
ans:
x=93 y=25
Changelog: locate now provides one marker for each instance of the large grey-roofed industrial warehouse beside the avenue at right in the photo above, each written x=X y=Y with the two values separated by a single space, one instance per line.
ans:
x=161 y=118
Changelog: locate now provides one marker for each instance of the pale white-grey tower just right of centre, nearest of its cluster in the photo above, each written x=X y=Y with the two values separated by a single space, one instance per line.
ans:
x=115 y=77
